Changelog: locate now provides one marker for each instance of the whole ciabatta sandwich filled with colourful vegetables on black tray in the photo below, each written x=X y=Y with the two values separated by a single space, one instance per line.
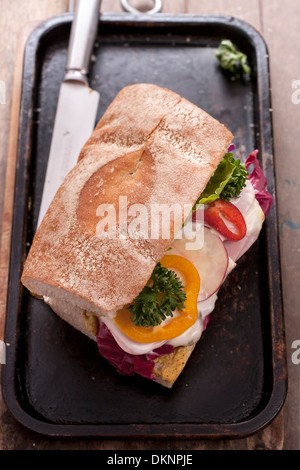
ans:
x=145 y=229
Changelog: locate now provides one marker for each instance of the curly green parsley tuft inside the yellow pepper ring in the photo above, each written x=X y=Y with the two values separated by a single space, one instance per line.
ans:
x=159 y=298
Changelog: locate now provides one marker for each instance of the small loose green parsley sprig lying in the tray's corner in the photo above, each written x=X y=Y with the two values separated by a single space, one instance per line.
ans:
x=231 y=59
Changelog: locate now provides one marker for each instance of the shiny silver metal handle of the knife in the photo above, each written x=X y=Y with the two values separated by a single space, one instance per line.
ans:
x=83 y=34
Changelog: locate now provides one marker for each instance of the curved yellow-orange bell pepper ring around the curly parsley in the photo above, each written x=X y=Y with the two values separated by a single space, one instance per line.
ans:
x=177 y=325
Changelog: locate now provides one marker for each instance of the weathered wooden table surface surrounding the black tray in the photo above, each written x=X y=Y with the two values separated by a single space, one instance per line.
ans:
x=279 y=23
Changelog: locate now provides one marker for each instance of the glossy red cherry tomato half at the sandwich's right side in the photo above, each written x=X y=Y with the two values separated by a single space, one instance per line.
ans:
x=220 y=212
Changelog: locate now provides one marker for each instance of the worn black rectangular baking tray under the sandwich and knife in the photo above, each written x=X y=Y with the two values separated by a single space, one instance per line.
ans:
x=54 y=381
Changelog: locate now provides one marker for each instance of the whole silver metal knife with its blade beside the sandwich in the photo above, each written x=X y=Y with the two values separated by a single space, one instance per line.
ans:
x=77 y=102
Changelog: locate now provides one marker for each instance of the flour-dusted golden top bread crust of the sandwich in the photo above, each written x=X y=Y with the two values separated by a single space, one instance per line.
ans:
x=151 y=147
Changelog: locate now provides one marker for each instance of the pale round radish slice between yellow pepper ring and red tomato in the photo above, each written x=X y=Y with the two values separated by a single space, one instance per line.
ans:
x=210 y=258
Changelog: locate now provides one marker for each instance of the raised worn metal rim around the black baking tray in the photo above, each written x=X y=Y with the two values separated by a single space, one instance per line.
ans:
x=241 y=429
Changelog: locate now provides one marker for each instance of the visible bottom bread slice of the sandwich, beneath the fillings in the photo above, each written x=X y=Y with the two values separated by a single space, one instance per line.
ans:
x=167 y=368
